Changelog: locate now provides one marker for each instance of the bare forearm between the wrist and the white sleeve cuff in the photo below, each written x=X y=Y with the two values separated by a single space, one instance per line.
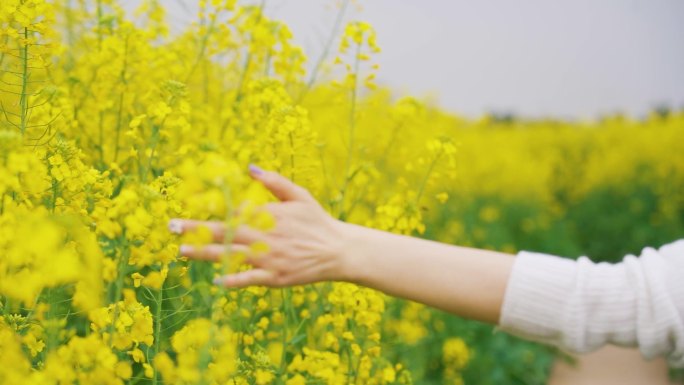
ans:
x=464 y=281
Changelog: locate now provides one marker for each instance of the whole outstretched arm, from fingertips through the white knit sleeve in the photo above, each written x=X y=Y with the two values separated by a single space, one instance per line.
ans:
x=548 y=298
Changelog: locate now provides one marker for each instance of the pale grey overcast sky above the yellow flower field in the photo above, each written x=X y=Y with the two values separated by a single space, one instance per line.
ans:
x=563 y=58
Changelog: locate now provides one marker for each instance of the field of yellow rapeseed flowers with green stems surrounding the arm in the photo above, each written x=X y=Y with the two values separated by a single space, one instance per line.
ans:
x=110 y=125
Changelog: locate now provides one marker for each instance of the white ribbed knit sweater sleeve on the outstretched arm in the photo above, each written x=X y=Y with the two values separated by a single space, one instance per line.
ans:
x=579 y=305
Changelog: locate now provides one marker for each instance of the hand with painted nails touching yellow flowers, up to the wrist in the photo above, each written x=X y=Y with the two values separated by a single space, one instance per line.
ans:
x=305 y=245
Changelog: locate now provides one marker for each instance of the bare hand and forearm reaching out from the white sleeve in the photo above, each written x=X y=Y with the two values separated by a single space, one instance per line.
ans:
x=308 y=245
